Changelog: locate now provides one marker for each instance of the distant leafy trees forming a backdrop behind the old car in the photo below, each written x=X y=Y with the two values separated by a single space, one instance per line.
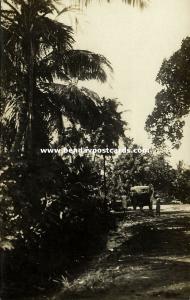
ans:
x=143 y=169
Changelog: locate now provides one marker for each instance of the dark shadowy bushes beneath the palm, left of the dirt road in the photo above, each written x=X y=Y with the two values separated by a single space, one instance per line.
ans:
x=55 y=216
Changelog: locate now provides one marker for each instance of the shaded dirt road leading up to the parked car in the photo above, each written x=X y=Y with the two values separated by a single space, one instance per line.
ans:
x=147 y=258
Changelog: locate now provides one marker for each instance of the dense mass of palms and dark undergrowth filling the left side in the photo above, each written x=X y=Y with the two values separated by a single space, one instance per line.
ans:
x=52 y=213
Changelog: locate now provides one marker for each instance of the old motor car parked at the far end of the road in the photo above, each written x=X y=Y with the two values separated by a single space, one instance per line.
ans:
x=141 y=195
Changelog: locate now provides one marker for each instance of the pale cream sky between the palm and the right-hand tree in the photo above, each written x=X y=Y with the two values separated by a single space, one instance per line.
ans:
x=135 y=42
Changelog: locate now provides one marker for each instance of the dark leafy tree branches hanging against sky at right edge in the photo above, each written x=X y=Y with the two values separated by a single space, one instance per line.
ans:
x=172 y=104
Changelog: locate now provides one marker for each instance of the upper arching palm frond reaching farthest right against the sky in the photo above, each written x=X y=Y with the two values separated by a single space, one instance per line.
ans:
x=74 y=64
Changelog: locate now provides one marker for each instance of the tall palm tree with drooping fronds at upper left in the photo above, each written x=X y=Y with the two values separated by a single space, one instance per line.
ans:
x=38 y=51
